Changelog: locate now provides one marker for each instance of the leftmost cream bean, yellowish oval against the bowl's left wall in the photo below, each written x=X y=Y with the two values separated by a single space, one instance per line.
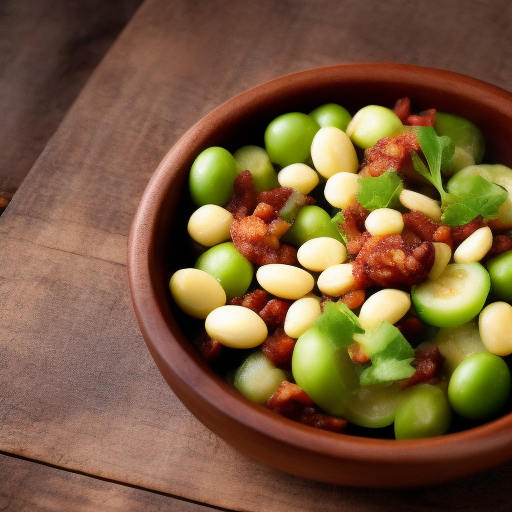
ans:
x=196 y=292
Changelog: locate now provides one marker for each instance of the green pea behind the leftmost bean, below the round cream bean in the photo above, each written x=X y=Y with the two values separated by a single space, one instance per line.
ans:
x=229 y=267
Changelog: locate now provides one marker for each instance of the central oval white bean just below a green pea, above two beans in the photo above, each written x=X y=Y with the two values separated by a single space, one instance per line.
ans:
x=320 y=253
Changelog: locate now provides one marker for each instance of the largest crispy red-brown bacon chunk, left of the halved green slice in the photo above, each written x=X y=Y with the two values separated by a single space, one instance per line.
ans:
x=388 y=261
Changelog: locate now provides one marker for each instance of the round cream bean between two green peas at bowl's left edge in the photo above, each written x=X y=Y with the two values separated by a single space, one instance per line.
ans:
x=210 y=225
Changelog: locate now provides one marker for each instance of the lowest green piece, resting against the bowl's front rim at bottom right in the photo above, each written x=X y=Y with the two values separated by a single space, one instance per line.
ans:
x=423 y=412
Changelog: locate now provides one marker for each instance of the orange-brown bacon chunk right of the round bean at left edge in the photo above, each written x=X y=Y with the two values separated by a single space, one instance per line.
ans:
x=257 y=242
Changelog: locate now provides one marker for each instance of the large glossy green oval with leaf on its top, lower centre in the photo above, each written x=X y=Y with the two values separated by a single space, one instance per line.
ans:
x=321 y=365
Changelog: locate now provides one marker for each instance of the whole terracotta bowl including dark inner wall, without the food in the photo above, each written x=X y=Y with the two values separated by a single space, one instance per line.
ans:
x=156 y=247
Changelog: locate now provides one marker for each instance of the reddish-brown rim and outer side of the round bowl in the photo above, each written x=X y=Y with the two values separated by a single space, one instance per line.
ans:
x=207 y=396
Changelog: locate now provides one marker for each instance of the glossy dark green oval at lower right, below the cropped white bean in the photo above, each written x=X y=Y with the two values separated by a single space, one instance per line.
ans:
x=479 y=386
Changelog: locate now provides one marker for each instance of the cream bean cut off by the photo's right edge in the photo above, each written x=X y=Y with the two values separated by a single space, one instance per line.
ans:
x=495 y=326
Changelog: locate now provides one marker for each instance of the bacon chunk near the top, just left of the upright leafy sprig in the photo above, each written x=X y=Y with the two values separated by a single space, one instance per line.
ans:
x=390 y=153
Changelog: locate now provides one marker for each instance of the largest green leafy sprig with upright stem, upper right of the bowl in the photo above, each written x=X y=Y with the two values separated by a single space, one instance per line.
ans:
x=477 y=197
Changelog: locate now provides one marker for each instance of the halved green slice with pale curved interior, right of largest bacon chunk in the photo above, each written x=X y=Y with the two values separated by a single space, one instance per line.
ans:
x=455 y=297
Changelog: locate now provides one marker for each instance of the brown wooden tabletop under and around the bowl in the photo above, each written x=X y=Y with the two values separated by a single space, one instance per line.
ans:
x=86 y=421
